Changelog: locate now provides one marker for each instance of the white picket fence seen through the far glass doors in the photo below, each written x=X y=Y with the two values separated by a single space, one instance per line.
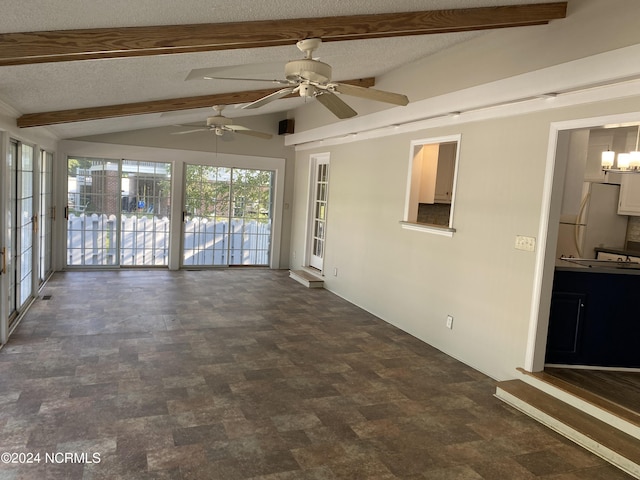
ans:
x=91 y=240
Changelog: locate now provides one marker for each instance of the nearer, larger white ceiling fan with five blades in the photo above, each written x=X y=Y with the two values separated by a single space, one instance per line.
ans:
x=311 y=78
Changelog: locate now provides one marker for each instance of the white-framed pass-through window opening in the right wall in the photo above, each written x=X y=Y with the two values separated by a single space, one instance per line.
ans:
x=433 y=166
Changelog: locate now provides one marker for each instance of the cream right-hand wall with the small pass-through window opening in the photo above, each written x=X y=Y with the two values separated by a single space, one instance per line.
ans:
x=414 y=279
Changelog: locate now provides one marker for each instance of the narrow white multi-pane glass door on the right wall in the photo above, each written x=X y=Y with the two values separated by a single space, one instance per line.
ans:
x=318 y=206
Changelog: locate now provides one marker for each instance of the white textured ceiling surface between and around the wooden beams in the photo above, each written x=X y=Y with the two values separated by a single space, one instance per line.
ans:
x=59 y=86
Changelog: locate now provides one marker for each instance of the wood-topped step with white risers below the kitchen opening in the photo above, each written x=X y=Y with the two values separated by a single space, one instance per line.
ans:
x=604 y=430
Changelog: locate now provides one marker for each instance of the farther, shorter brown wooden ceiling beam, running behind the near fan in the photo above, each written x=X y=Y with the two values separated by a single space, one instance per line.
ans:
x=153 y=106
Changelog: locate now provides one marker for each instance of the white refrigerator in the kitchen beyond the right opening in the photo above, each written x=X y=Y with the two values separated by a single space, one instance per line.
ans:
x=597 y=223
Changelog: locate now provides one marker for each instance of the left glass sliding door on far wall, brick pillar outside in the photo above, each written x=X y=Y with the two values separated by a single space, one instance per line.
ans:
x=118 y=212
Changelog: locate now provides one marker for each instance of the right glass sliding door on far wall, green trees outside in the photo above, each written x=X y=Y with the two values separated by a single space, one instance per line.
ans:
x=227 y=216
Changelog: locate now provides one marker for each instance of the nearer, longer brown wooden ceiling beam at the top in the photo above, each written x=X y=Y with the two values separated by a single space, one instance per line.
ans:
x=69 y=45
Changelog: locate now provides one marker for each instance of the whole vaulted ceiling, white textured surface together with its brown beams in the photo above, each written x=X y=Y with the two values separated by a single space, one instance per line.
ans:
x=82 y=68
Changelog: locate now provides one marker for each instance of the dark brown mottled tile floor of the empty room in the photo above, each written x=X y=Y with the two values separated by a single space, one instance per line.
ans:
x=244 y=373
